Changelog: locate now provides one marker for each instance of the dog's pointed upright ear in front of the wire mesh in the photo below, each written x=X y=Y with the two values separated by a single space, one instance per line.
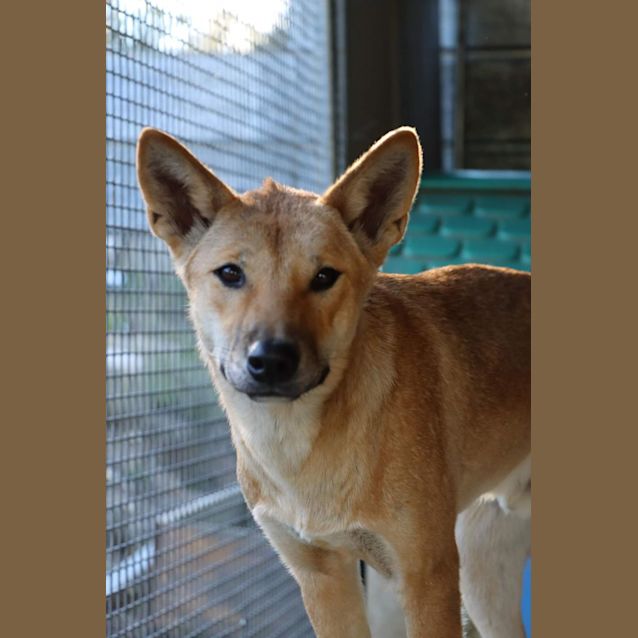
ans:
x=182 y=196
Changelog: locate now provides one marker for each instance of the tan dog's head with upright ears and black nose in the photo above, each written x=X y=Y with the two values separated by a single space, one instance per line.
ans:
x=277 y=277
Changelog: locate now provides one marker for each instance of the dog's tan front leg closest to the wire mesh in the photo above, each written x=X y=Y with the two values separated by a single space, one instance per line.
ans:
x=329 y=581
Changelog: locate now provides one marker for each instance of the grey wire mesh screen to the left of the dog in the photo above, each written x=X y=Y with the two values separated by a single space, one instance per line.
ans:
x=246 y=85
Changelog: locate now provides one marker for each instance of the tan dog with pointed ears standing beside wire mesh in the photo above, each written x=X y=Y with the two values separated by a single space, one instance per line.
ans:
x=367 y=409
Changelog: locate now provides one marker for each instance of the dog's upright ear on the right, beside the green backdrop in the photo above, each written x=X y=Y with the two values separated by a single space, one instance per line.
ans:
x=375 y=194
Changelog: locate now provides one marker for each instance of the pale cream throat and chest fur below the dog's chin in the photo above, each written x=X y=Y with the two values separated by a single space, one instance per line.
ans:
x=275 y=440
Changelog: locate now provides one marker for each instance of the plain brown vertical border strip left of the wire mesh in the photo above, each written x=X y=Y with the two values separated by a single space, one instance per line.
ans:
x=53 y=518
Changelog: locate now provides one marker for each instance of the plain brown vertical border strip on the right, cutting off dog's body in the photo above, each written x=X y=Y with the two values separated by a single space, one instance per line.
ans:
x=583 y=192
